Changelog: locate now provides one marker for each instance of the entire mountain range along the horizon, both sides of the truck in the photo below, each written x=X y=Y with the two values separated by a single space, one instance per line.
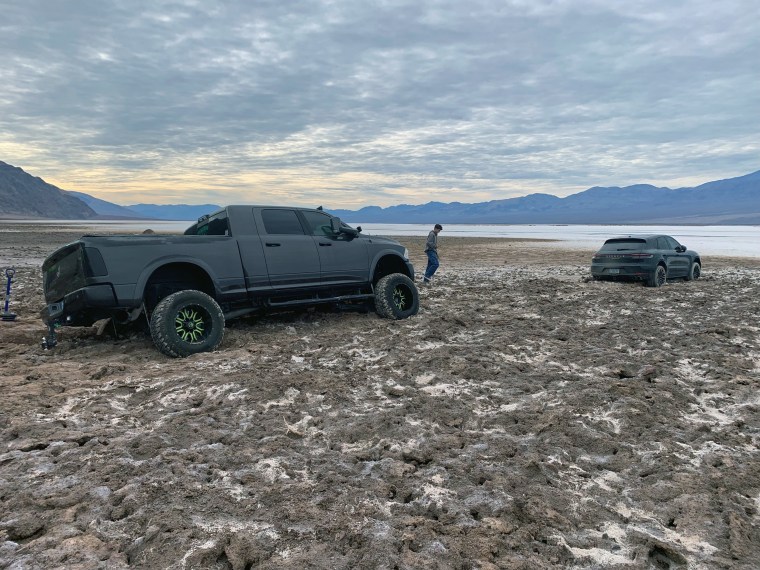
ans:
x=729 y=201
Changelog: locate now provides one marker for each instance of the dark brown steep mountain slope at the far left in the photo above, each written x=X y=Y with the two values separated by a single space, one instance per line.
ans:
x=25 y=196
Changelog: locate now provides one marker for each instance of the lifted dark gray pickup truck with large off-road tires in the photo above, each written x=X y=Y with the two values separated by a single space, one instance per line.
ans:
x=236 y=261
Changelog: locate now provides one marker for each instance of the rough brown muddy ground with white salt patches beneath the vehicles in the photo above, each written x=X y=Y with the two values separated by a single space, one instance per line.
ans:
x=525 y=418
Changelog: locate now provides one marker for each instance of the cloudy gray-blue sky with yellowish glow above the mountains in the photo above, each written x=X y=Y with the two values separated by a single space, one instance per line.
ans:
x=349 y=103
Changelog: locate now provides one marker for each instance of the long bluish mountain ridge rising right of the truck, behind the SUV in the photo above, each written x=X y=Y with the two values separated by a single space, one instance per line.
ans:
x=730 y=201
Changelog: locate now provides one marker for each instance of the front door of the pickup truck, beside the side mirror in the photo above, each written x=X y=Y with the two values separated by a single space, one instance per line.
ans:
x=343 y=258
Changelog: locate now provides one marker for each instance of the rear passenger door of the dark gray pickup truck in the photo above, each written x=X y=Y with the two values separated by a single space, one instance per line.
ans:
x=291 y=254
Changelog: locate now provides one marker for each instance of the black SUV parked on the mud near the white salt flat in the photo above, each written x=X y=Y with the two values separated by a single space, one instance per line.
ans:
x=650 y=258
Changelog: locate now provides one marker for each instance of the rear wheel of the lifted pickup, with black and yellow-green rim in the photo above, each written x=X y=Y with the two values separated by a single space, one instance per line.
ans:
x=185 y=323
